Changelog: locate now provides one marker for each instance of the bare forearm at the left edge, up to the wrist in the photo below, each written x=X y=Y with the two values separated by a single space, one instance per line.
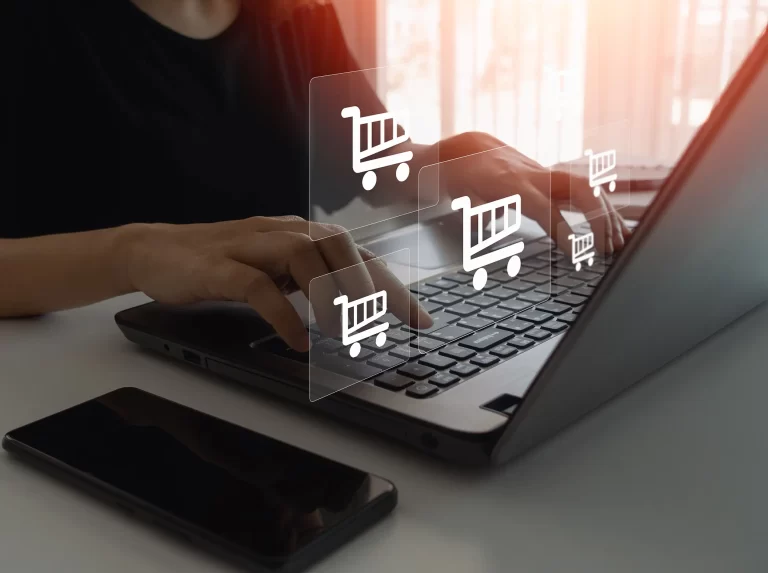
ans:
x=56 y=272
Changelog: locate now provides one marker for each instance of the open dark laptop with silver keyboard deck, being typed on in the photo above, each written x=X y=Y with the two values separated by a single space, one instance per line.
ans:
x=696 y=262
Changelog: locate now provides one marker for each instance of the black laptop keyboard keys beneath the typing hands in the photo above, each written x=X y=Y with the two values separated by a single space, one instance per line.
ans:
x=472 y=331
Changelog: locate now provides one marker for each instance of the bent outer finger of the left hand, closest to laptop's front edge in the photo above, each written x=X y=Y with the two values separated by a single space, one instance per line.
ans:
x=235 y=281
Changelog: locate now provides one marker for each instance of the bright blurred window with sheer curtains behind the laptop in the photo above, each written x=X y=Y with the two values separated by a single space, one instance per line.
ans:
x=497 y=65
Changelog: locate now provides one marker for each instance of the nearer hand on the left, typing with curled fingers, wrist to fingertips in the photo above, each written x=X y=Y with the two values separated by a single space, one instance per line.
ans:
x=259 y=261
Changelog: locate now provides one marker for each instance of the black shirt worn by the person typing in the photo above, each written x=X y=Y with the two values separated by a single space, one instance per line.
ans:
x=112 y=118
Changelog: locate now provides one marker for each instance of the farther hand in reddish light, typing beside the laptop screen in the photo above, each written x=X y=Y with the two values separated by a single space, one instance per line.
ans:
x=496 y=171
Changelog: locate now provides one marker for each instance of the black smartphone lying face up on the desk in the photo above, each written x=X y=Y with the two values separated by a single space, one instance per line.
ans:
x=268 y=505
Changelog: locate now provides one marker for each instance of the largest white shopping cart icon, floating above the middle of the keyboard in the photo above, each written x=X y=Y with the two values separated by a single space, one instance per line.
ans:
x=474 y=217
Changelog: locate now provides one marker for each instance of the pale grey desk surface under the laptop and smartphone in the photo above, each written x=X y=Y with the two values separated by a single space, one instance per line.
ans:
x=671 y=477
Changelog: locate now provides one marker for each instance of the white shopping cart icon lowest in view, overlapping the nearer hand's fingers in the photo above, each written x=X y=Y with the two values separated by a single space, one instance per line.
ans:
x=359 y=313
